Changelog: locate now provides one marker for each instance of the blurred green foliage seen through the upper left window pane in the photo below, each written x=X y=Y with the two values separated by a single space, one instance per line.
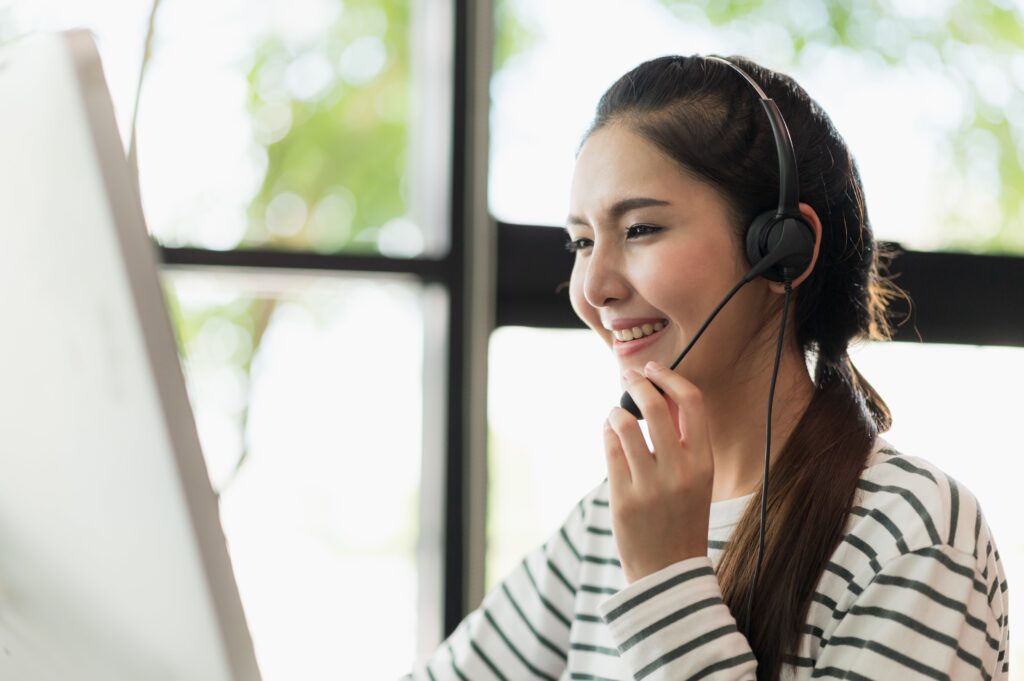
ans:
x=348 y=142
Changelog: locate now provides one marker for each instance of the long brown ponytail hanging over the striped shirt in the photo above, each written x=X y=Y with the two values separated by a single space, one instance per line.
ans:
x=813 y=487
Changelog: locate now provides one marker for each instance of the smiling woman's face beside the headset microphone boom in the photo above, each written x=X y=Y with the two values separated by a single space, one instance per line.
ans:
x=658 y=246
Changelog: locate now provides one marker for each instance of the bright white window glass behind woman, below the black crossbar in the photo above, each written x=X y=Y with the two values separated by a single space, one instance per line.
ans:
x=956 y=406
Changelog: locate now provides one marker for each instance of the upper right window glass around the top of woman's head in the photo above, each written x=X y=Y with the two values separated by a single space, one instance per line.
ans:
x=929 y=97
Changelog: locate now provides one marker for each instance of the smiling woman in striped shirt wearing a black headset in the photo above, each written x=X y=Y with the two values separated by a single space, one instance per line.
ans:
x=877 y=566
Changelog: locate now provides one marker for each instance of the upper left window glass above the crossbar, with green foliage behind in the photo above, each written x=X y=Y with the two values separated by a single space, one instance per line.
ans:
x=262 y=124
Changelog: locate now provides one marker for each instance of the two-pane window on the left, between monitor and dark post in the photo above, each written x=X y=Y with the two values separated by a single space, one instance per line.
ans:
x=296 y=168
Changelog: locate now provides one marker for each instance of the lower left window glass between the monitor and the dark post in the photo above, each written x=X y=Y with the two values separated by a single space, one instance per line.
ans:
x=315 y=447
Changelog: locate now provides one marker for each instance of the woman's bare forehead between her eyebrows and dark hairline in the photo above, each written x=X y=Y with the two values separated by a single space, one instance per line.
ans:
x=616 y=163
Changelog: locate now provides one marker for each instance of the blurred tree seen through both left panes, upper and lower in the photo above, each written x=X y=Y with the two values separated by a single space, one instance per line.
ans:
x=333 y=116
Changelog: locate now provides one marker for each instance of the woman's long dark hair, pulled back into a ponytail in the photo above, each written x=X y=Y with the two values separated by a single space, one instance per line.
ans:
x=703 y=115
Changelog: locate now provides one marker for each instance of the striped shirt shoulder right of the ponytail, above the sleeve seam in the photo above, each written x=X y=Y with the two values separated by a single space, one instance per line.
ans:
x=907 y=504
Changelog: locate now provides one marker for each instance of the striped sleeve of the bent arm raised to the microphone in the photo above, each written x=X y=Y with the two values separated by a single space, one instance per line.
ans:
x=929 y=614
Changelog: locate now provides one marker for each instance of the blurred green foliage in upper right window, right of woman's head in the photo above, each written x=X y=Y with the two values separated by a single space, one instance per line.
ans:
x=967 y=37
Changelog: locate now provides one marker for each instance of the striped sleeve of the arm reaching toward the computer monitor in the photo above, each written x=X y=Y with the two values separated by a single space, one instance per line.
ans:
x=522 y=629
